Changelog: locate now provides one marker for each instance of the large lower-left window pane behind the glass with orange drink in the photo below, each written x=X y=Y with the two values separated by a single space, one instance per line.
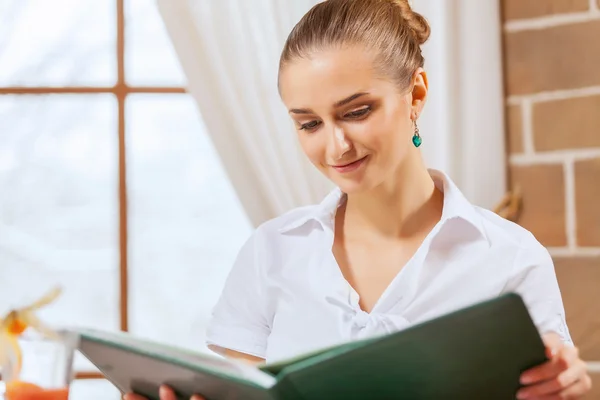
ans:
x=59 y=208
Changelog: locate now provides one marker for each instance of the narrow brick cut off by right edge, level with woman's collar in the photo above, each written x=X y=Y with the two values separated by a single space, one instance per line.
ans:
x=587 y=193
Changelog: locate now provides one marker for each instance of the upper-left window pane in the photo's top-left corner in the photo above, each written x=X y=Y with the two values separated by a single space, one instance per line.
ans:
x=57 y=43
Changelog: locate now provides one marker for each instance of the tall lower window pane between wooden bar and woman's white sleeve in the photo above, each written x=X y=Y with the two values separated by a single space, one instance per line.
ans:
x=186 y=223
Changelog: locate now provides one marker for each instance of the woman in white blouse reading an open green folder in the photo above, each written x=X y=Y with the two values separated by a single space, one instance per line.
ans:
x=395 y=243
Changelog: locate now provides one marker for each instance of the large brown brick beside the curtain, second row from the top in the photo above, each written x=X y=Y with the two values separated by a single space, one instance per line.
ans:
x=554 y=58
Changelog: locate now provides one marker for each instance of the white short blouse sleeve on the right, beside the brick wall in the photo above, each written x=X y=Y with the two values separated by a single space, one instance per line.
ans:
x=533 y=277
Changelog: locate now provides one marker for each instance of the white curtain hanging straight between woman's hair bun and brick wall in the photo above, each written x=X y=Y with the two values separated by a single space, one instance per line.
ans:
x=463 y=123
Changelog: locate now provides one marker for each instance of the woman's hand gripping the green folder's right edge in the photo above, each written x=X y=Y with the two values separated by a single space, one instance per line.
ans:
x=564 y=376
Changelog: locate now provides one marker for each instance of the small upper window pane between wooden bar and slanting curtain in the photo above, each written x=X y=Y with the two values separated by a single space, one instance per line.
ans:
x=150 y=58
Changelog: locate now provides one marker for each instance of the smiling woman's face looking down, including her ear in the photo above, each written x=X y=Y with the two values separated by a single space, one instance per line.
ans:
x=354 y=125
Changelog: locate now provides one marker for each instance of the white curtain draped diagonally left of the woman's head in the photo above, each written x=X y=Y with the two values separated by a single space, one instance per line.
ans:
x=229 y=50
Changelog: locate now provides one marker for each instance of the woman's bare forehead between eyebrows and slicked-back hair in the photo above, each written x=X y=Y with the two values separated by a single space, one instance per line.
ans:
x=328 y=76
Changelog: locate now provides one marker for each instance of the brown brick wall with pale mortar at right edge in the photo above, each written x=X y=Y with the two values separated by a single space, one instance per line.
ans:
x=552 y=85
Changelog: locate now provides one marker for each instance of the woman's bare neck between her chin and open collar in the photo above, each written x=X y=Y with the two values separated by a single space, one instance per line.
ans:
x=406 y=205
